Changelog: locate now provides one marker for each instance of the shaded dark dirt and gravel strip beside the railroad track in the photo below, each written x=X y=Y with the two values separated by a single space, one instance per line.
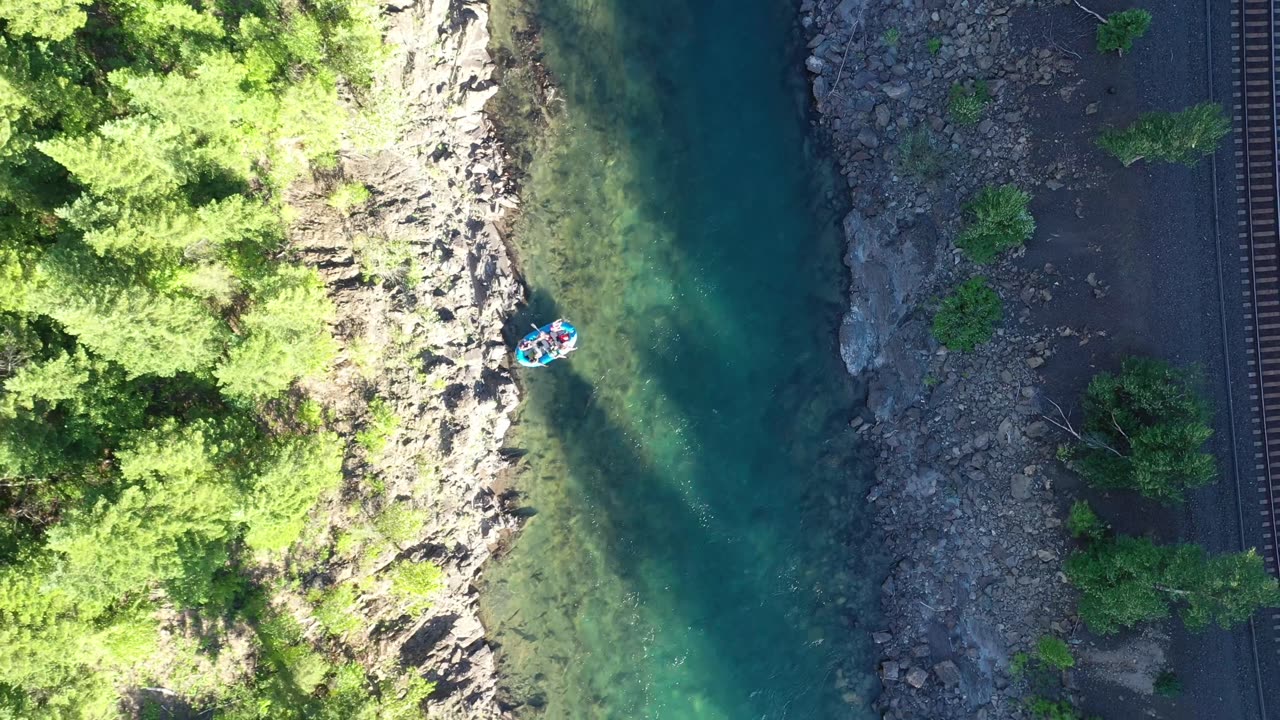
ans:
x=1142 y=256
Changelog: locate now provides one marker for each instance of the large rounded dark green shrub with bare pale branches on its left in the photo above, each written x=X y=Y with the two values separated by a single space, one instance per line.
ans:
x=1145 y=430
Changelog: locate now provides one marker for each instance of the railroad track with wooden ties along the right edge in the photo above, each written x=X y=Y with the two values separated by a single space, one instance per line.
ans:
x=1256 y=154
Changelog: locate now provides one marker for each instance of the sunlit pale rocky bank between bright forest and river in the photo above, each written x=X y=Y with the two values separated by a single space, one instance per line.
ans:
x=423 y=285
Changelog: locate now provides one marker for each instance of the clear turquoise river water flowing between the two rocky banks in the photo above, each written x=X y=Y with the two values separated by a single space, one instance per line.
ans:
x=697 y=546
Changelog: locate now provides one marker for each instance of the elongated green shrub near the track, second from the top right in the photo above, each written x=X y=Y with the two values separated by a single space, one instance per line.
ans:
x=1172 y=138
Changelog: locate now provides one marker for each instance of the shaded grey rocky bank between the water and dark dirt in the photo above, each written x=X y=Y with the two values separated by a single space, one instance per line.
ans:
x=964 y=491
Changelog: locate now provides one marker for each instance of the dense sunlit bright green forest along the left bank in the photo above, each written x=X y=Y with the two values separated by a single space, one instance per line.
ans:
x=156 y=453
